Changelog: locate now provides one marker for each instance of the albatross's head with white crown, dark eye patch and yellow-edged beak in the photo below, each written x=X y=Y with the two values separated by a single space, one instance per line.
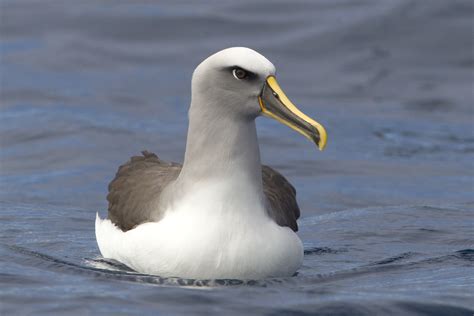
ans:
x=238 y=83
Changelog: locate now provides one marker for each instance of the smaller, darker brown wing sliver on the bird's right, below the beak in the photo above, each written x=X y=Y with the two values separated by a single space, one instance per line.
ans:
x=281 y=197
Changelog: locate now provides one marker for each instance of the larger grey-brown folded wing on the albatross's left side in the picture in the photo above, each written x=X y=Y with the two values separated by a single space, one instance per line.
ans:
x=135 y=188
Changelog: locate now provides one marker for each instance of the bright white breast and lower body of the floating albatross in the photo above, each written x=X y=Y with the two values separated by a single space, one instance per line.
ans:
x=206 y=237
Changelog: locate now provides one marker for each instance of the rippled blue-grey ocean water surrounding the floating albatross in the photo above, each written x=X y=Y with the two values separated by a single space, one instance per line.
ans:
x=387 y=209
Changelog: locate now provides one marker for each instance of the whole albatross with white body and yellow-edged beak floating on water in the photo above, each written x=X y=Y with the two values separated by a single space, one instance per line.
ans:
x=221 y=214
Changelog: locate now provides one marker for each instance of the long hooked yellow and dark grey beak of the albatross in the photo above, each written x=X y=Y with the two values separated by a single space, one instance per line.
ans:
x=275 y=104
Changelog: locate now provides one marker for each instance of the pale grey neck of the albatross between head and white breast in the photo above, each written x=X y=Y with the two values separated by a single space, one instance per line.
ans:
x=221 y=147
